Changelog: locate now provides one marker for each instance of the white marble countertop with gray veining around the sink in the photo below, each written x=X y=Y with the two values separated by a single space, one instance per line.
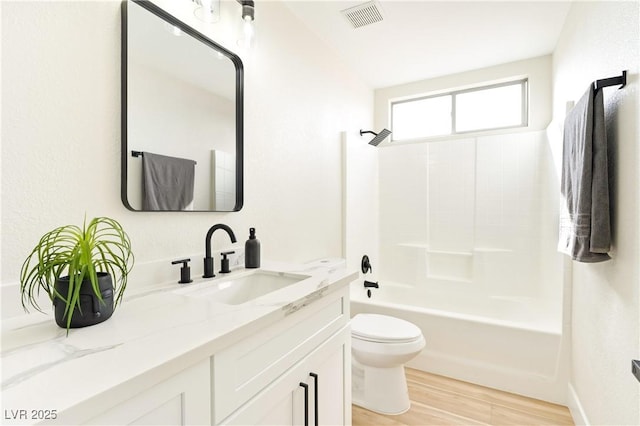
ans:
x=152 y=336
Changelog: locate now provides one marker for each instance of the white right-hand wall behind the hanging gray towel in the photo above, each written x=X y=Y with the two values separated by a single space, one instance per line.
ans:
x=599 y=40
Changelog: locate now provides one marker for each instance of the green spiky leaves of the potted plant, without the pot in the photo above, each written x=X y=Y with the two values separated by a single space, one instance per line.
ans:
x=101 y=246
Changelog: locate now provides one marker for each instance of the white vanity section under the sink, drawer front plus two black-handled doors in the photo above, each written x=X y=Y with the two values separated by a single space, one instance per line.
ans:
x=260 y=379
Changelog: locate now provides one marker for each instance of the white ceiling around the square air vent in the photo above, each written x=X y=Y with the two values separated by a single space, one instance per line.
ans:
x=423 y=39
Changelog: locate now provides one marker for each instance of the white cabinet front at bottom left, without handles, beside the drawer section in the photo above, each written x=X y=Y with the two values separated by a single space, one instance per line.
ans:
x=183 y=399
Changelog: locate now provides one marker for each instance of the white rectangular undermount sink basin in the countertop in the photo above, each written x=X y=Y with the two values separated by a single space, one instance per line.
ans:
x=242 y=288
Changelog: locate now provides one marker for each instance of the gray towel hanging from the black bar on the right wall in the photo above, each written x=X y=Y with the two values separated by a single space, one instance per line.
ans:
x=585 y=232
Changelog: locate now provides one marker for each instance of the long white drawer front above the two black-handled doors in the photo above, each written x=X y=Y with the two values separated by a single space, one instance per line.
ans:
x=244 y=369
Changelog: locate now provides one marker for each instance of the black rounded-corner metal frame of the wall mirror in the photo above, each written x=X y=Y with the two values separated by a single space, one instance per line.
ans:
x=148 y=5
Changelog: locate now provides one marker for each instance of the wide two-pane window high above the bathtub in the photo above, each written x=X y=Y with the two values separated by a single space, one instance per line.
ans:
x=484 y=108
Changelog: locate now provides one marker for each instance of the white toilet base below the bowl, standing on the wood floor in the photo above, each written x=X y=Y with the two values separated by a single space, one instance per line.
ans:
x=382 y=390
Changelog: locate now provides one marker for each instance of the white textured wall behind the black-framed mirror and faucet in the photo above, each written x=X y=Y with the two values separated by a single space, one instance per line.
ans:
x=61 y=138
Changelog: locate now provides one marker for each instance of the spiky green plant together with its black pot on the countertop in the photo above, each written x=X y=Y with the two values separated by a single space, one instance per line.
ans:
x=83 y=270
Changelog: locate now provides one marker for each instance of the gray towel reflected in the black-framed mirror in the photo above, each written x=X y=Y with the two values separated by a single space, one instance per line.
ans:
x=167 y=182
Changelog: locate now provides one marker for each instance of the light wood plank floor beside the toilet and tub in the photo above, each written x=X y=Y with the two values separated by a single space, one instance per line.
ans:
x=438 y=400
